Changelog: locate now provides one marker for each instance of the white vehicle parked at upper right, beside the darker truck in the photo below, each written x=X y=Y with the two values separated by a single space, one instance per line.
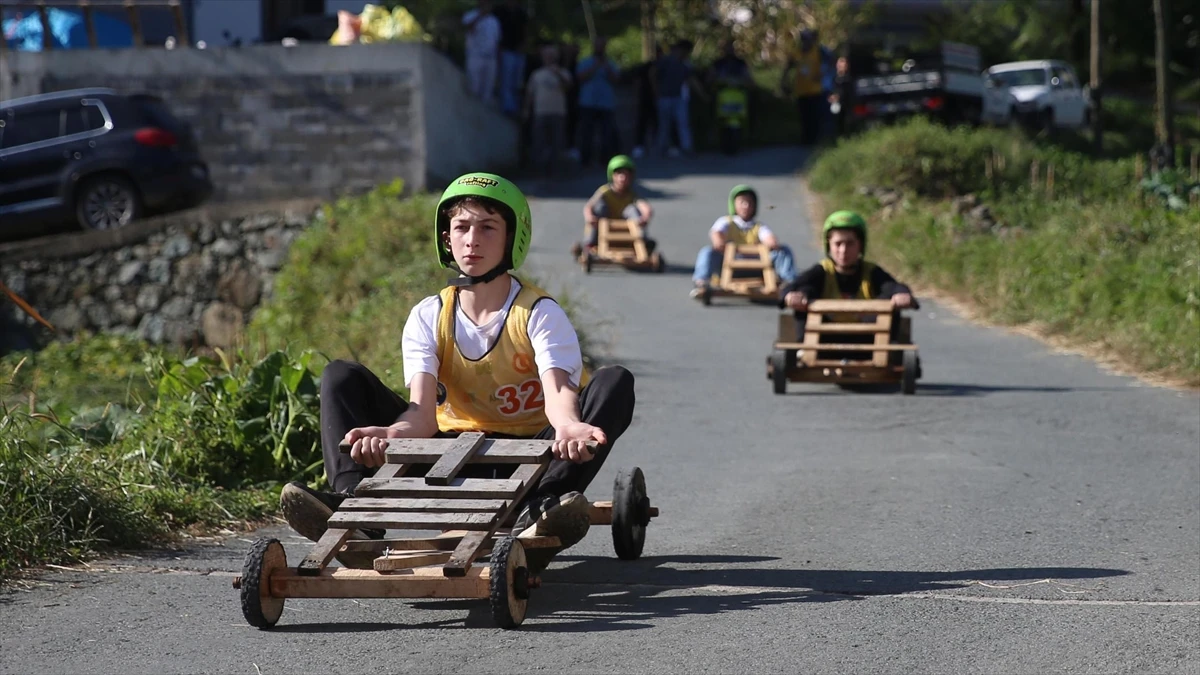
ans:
x=1043 y=95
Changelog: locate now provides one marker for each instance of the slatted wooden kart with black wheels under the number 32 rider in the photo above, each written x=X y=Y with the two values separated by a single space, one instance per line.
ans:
x=473 y=518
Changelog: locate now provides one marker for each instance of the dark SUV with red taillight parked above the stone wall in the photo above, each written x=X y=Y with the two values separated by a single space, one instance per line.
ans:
x=95 y=158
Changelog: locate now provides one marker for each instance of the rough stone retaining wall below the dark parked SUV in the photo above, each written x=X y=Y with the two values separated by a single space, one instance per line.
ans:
x=197 y=283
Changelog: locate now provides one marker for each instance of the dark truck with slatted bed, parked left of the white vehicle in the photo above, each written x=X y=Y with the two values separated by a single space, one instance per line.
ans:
x=943 y=83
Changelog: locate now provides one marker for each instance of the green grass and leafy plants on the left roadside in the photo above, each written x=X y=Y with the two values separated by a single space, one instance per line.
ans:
x=109 y=443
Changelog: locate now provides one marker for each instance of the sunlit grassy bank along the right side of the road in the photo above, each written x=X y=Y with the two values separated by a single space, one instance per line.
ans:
x=1100 y=261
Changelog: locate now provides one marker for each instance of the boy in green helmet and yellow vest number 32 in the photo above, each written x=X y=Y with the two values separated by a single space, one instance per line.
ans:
x=491 y=354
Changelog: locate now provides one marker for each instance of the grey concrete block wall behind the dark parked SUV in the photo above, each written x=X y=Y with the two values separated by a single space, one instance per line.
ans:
x=308 y=121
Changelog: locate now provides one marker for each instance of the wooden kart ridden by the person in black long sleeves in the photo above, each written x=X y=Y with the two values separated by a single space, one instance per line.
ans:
x=832 y=351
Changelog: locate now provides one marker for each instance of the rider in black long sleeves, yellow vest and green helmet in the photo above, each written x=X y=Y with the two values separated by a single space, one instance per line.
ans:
x=844 y=273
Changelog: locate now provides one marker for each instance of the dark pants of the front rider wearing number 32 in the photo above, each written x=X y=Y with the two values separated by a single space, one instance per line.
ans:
x=352 y=397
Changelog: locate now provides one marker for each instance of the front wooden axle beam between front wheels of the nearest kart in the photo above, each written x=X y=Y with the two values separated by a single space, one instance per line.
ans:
x=421 y=583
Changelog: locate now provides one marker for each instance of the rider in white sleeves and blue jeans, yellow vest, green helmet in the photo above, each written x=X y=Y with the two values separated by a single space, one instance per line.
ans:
x=741 y=226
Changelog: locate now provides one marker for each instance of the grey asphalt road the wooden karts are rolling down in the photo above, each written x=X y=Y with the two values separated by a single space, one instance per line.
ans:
x=1025 y=512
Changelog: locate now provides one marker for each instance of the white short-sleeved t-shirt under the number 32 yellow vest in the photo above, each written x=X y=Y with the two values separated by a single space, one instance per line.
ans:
x=554 y=338
